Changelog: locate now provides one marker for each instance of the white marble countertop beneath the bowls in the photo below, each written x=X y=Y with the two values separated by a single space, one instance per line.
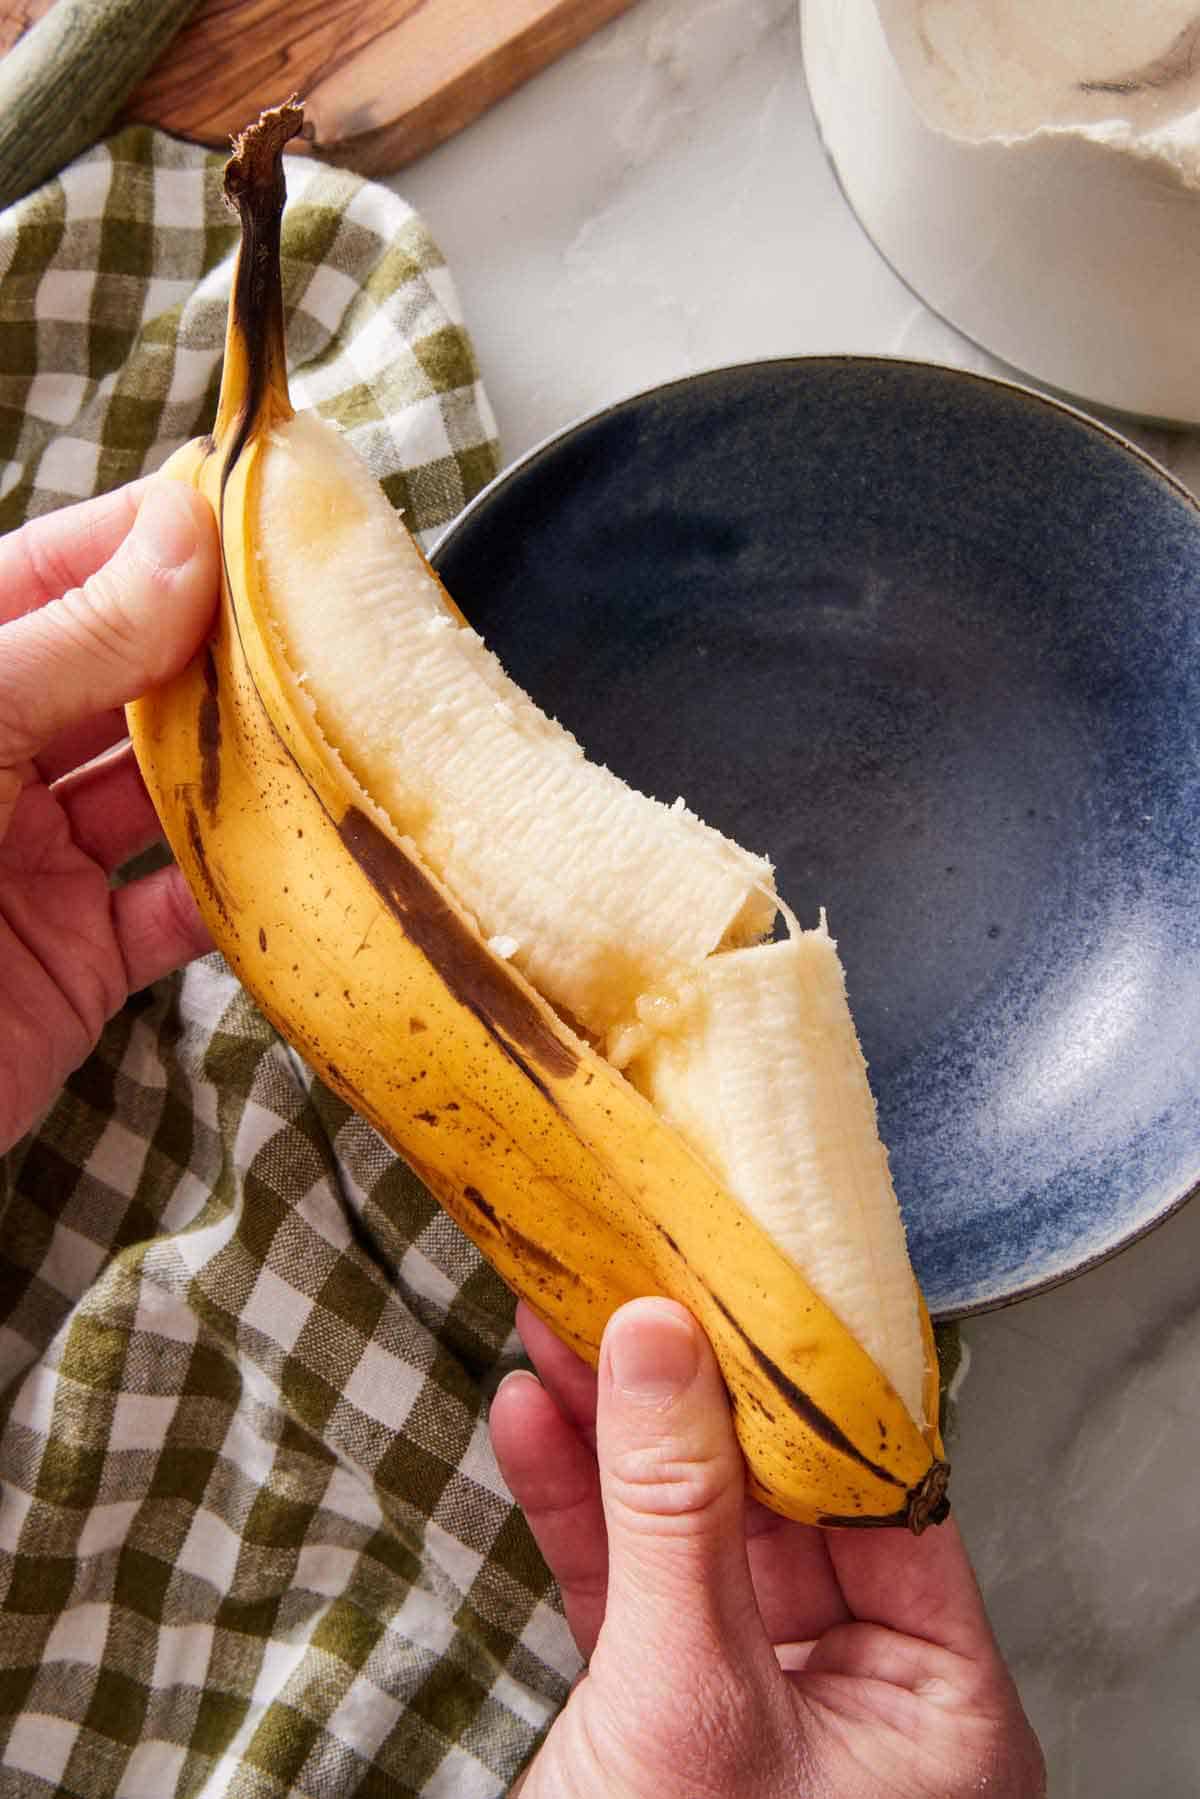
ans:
x=659 y=204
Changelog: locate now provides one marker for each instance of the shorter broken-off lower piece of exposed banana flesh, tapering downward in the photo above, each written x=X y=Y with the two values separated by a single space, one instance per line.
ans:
x=758 y=1066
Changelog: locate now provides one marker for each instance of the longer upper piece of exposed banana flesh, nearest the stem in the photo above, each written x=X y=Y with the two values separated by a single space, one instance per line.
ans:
x=602 y=891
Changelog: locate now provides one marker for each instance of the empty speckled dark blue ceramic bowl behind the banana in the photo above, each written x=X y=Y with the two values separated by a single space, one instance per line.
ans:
x=931 y=641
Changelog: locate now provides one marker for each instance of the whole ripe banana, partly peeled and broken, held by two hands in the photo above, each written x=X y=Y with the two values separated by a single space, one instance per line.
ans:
x=345 y=881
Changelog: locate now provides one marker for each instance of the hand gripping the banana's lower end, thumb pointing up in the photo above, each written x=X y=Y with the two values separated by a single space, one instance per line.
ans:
x=731 y=1652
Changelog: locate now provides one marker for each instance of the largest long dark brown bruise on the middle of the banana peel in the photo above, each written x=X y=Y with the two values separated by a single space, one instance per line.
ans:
x=470 y=972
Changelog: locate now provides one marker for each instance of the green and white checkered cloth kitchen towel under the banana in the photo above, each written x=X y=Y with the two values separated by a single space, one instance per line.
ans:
x=253 y=1539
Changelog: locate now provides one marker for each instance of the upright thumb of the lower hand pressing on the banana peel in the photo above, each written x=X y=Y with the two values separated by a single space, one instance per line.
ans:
x=672 y=1478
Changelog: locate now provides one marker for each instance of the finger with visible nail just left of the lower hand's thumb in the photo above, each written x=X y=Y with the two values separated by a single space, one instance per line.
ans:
x=555 y=1480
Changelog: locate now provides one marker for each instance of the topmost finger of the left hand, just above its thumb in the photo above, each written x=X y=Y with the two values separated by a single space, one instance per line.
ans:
x=58 y=551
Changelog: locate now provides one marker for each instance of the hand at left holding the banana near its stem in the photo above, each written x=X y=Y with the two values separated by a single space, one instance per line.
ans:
x=98 y=604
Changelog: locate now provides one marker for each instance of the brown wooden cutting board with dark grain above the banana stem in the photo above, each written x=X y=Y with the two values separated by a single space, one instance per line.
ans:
x=382 y=80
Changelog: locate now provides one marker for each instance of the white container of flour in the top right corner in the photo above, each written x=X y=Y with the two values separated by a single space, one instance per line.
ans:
x=1073 y=255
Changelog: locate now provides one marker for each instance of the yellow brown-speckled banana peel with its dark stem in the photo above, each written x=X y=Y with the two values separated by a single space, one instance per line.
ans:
x=366 y=958
